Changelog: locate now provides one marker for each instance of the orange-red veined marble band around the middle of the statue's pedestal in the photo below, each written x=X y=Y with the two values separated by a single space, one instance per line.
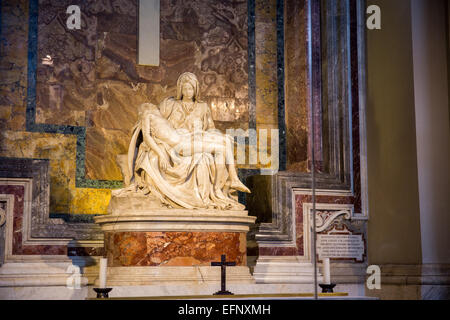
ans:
x=173 y=248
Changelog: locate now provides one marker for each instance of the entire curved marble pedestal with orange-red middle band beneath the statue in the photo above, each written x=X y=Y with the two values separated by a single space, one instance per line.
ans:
x=146 y=247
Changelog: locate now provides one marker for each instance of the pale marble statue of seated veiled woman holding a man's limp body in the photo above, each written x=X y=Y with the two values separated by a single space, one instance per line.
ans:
x=177 y=155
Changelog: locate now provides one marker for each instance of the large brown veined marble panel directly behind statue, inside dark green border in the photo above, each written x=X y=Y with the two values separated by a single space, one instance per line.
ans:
x=94 y=80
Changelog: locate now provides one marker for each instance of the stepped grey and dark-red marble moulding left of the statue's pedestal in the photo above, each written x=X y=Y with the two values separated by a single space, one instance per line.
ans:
x=29 y=231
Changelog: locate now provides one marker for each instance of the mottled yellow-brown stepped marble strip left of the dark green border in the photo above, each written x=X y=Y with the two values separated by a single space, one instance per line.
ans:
x=15 y=142
